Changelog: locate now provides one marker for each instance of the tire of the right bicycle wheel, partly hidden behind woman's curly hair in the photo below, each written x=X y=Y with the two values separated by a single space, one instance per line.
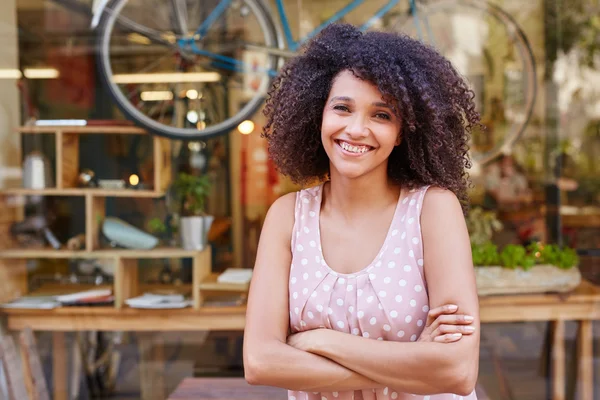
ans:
x=527 y=58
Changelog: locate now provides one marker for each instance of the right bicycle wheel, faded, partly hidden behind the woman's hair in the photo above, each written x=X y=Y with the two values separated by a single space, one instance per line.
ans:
x=487 y=46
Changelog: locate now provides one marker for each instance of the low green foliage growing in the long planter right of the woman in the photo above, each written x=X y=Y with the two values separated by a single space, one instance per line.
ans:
x=513 y=256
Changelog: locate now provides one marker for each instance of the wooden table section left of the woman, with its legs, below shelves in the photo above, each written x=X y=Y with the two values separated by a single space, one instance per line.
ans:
x=145 y=322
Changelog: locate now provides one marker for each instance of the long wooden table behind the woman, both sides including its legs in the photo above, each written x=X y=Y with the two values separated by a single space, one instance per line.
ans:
x=581 y=305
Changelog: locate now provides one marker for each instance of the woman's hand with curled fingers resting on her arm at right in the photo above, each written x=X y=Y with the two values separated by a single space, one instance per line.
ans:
x=445 y=326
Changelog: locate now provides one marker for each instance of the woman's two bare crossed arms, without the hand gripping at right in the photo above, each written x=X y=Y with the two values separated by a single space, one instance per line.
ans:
x=326 y=360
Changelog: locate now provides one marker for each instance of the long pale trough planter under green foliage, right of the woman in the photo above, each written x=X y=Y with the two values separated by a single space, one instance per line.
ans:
x=495 y=280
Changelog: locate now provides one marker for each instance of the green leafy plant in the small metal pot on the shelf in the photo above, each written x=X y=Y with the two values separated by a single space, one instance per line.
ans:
x=192 y=192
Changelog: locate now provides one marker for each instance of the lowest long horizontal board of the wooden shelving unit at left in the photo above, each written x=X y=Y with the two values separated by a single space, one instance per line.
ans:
x=163 y=252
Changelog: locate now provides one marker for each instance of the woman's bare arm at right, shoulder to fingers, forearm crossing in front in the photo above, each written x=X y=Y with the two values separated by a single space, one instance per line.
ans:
x=423 y=367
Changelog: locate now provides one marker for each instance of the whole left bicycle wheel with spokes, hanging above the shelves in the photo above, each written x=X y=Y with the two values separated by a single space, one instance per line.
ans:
x=180 y=81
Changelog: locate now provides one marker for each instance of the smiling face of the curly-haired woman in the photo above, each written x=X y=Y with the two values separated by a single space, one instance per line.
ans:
x=359 y=130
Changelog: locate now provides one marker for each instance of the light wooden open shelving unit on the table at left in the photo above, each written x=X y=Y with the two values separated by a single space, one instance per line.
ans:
x=13 y=272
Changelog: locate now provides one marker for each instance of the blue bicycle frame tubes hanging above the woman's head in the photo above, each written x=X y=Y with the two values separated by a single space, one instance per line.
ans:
x=293 y=45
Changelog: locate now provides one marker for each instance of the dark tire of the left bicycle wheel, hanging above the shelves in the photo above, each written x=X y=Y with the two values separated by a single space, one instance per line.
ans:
x=106 y=25
